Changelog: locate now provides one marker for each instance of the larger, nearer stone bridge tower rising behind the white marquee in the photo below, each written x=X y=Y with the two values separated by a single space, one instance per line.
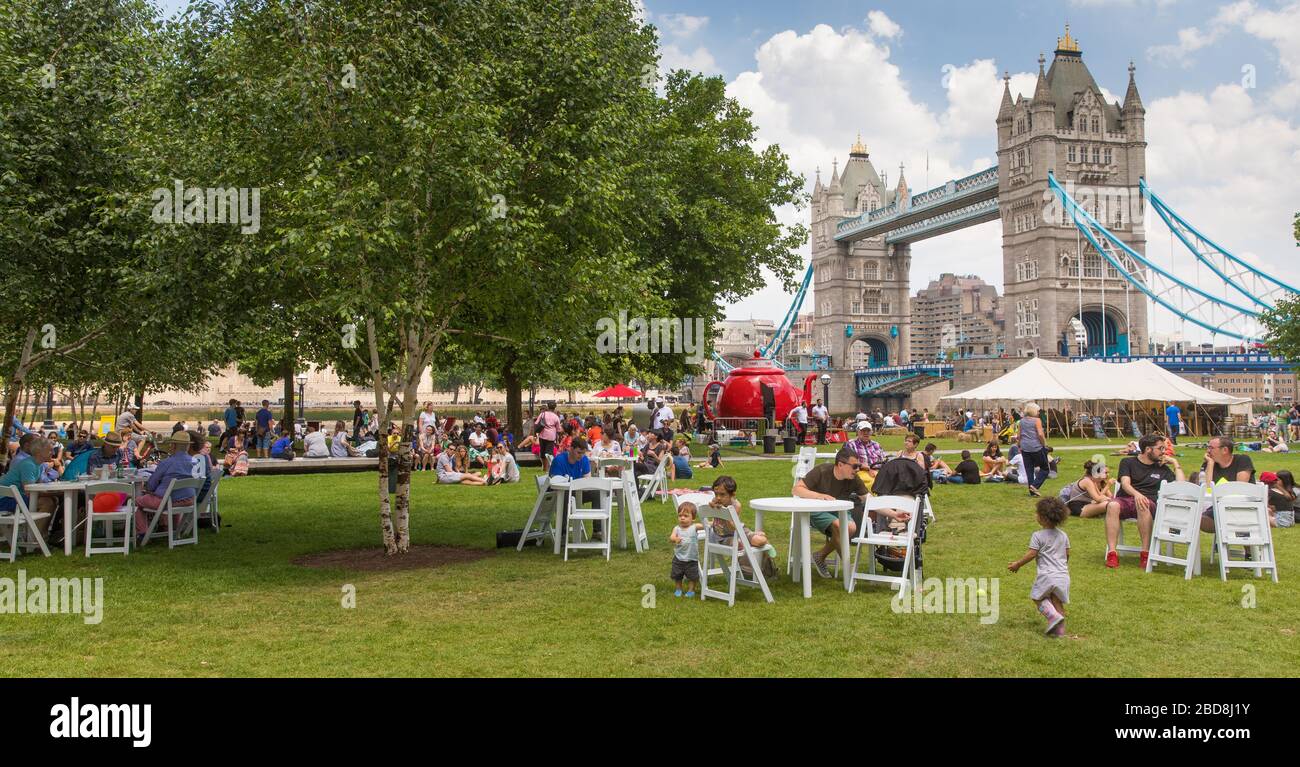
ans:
x=1068 y=129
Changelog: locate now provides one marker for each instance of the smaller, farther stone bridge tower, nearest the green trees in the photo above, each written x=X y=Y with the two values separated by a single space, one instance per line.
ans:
x=861 y=289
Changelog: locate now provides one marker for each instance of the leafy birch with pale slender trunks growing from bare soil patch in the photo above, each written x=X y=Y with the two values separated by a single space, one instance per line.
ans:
x=430 y=162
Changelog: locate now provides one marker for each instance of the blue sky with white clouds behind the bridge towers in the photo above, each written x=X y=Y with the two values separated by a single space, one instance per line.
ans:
x=922 y=81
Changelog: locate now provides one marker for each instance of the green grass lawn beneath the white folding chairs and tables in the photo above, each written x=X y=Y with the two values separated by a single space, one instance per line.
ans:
x=237 y=606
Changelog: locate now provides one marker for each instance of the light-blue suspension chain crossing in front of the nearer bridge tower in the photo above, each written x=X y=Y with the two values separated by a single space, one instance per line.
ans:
x=1189 y=302
